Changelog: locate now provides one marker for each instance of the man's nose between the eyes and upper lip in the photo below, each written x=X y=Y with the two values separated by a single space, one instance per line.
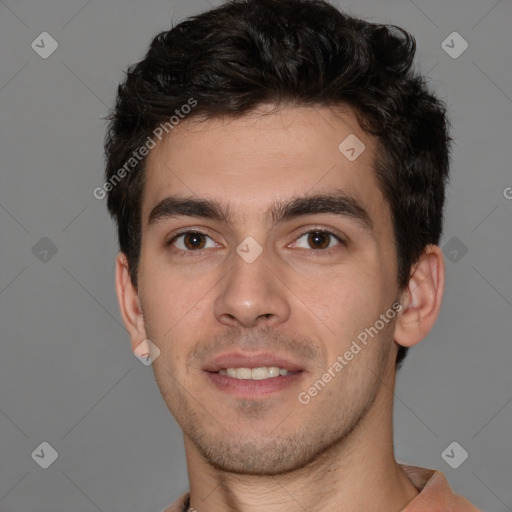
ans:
x=252 y=293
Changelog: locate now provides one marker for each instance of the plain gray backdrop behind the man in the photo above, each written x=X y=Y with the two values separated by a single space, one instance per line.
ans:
x=67 y=373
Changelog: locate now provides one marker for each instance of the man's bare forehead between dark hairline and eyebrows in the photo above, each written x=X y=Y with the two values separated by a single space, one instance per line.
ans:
x=266 y=156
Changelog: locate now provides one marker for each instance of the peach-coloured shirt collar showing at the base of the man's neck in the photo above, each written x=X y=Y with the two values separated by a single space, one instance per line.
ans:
x=435 y=494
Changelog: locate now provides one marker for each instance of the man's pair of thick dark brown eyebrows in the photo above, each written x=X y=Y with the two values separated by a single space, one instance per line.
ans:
x=338 y=203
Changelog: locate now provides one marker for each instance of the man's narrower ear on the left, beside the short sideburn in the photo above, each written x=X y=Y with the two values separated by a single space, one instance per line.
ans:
x=129 y=302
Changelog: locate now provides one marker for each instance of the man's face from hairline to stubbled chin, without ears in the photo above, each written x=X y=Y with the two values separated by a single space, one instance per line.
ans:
x=265 y=255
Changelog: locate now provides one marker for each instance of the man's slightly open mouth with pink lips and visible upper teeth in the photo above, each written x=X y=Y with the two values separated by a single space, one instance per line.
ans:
x=252 y=376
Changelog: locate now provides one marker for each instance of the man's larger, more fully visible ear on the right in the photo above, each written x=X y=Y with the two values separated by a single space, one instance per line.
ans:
x=422 y=298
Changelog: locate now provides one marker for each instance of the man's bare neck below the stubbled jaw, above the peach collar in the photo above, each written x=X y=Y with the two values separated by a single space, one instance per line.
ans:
x=357 y=474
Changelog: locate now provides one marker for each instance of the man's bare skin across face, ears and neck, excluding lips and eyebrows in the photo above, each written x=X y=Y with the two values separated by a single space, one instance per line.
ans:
x=300 y=299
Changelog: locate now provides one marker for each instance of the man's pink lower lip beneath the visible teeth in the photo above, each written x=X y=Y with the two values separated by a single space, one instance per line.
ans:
x=248 y=388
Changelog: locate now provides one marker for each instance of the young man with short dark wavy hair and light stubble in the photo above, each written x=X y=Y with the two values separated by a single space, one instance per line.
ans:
x=277 y=172
